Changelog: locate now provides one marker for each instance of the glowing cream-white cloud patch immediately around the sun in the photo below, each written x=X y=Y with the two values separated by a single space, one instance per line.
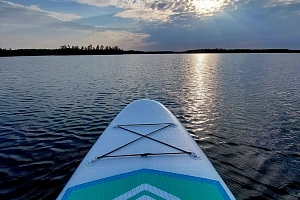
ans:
x=162 y=10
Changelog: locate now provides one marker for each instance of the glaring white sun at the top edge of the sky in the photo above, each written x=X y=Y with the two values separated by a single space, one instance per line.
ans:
x=206 y=7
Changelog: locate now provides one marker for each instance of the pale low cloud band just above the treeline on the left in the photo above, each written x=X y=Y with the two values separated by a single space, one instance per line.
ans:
x=54 y=38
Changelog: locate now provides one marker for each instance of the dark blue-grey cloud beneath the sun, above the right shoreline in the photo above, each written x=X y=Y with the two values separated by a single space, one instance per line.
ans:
x=252 y=25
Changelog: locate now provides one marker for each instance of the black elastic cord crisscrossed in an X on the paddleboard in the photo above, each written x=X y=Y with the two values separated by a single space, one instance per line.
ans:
x=143 y=136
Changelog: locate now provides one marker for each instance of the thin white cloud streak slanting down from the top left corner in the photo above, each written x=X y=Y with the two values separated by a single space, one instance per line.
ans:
x=35 y=8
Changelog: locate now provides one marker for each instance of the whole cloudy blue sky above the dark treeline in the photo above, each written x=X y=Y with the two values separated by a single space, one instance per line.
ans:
x=150 y=24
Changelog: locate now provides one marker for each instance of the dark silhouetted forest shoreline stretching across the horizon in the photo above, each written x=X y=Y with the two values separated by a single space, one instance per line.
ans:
x=65 y=50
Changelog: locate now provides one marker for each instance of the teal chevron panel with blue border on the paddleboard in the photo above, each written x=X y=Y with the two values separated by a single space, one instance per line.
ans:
x=148 y=181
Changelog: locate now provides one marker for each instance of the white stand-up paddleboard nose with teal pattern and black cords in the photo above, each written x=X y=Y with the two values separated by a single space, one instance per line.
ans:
x=145 y=153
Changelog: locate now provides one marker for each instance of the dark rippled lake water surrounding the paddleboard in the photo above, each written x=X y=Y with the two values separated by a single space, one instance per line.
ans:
x=242 y=109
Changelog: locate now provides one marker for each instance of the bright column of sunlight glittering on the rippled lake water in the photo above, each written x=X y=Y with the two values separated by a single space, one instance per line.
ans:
x=201 y=84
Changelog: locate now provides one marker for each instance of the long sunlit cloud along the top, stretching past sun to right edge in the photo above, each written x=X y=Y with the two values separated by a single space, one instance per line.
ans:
x=163 y=11
